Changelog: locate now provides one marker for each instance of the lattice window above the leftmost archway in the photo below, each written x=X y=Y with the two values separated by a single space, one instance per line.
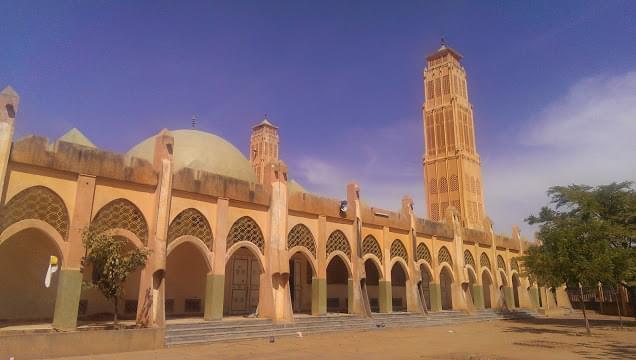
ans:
x=39 y=203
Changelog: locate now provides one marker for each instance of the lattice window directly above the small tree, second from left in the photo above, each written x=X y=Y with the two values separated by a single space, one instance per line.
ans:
x=121 y=214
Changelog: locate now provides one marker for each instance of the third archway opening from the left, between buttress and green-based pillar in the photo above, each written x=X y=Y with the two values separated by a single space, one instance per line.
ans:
x=186 y=271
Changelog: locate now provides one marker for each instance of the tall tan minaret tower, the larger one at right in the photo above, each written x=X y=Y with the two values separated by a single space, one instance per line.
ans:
x=452 y=169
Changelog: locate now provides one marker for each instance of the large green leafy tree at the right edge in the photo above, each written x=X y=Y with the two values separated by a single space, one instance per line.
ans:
x=587 y=236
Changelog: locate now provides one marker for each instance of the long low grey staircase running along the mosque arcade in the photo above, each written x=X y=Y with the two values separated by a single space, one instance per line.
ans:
x=233 y=330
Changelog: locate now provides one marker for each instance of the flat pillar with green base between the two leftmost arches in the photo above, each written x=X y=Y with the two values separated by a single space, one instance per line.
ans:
x=69 y=287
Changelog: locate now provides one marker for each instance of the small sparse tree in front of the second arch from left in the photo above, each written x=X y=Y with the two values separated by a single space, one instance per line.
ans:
x=111 y=264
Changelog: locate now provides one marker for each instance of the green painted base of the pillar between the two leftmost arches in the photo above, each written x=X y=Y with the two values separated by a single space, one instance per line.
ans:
x=69 y=289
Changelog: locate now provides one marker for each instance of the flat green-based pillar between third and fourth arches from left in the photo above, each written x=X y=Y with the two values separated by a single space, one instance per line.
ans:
x=215 y=281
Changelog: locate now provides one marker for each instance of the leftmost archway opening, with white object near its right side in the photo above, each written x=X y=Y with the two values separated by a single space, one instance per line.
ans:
x=24 y=260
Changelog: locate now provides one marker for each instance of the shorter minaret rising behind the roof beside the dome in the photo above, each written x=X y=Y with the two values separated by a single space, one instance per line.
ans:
x=263 y=147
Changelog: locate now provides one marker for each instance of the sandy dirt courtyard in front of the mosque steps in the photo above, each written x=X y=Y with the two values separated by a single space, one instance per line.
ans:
x=550 y=338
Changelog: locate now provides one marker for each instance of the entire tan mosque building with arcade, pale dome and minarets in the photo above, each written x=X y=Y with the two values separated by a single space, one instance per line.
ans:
x=233 y=235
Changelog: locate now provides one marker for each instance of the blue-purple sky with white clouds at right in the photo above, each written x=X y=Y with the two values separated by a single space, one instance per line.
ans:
x=553 y=84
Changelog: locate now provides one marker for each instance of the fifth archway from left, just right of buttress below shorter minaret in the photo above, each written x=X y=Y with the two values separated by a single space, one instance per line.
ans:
x=300 y=281
